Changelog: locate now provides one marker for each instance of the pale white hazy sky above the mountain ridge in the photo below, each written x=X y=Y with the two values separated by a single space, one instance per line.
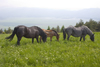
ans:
x=52 y=4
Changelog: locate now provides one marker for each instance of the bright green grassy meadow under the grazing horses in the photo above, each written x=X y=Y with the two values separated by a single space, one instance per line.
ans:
x=72 y=53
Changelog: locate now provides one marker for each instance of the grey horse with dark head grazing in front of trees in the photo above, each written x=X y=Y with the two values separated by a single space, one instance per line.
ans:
x=78 y=32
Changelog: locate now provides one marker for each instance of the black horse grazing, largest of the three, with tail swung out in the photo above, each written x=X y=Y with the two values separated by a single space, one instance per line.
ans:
x=27 y=32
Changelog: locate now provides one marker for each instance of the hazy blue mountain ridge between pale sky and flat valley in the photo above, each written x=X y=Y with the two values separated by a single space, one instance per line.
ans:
x=93 y=13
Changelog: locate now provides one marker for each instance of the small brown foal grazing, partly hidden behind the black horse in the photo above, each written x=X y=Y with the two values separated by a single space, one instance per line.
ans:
x=51 y=33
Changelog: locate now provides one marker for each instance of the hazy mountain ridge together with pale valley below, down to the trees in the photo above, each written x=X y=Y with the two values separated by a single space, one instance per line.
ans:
x=11 y=17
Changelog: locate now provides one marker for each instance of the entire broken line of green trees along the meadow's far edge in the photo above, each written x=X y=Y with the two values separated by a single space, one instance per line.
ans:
x=93 y=25
